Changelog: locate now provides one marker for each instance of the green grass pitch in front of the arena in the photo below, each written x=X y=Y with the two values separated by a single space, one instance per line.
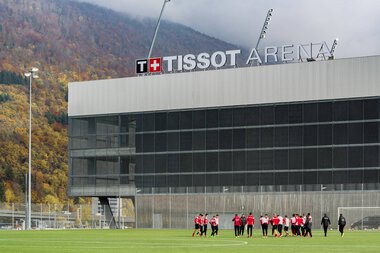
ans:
x=141 y=240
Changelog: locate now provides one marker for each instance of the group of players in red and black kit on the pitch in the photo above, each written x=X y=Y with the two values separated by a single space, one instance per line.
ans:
x=299 y=225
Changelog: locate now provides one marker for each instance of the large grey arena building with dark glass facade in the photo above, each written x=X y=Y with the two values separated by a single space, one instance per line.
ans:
x=299 y=137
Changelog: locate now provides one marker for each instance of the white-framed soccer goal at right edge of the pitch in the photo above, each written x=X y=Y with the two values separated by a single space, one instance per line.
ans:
x=361 y=218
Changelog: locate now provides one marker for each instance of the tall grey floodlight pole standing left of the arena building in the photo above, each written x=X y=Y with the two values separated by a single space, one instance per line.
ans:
x=32 y=74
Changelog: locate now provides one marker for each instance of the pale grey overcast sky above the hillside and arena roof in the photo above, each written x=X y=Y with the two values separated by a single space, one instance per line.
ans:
x=355 y=22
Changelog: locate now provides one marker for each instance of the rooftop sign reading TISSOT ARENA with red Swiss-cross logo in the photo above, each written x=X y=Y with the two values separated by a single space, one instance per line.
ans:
x=188 y=62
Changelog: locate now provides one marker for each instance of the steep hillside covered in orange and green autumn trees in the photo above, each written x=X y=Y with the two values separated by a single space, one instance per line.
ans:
x=67 y=41
